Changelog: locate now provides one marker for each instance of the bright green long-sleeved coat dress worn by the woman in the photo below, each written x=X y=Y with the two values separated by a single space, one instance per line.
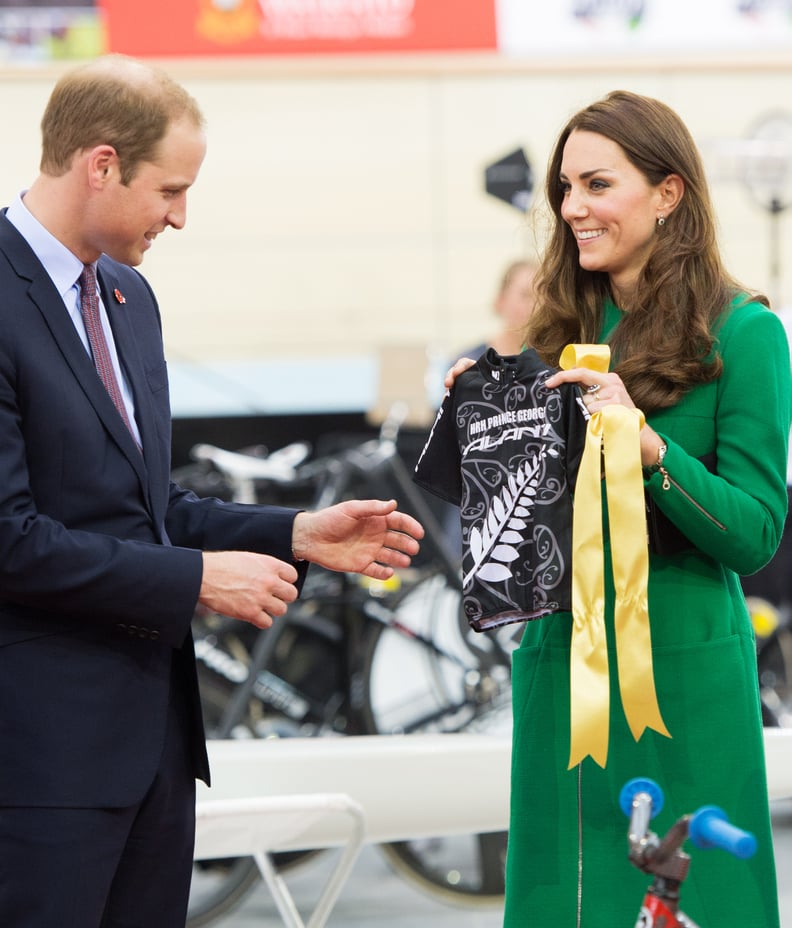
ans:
x=567 y=863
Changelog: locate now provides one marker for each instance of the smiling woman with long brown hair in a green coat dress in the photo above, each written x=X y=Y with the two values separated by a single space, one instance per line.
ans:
x=632 y=261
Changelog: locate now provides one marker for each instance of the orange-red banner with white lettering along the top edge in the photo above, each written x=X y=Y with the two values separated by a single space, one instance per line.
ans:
x=261 y=27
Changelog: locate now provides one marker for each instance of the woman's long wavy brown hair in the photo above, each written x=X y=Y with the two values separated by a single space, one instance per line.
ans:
x=664 y=344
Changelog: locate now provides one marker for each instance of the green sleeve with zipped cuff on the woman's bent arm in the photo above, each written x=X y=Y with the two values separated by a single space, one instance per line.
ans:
x=736 y=514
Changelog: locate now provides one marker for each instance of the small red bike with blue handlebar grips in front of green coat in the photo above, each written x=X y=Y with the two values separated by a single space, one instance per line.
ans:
x=664 y=859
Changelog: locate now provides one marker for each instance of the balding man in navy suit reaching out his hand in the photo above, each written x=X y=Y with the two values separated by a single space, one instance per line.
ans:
x=102 y=558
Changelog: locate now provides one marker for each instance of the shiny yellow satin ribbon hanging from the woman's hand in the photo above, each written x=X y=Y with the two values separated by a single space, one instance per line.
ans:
x=615 y=431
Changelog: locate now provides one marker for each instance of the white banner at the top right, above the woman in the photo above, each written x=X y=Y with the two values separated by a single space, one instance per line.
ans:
x=533 y=28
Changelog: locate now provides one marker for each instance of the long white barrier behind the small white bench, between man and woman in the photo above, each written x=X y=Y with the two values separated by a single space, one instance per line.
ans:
x=409 y=786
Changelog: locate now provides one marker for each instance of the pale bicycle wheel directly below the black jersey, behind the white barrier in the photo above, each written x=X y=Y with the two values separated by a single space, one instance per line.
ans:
x=451 y=685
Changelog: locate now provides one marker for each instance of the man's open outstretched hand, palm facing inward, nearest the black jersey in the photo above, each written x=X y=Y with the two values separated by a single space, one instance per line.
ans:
x=369 y=537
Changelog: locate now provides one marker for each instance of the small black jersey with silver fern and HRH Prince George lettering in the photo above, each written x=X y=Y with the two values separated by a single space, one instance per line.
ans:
x=506 y=450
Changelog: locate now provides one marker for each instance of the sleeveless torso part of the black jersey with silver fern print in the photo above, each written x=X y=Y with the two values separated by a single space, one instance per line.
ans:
x=516 y=506
